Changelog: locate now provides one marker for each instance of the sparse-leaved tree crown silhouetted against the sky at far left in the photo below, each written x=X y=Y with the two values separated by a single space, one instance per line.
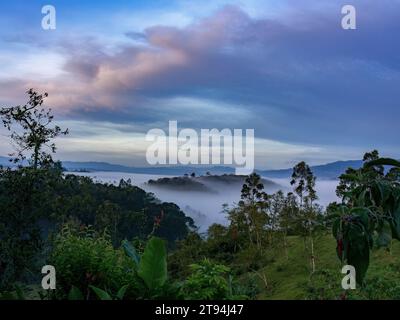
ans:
x=35 y=131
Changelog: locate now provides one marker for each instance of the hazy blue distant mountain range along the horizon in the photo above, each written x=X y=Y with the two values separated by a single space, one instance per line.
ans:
x=326 y=171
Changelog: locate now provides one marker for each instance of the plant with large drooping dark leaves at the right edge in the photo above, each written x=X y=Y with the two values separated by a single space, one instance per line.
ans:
x=370 y=214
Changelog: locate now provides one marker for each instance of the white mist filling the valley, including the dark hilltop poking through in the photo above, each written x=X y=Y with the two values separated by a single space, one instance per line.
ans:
x=202 y=198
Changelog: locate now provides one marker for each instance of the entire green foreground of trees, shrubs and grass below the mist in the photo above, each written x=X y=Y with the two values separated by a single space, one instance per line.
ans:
x=118 y=242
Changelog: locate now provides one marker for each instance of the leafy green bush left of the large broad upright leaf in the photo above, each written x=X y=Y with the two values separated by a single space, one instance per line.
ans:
x=84 y=259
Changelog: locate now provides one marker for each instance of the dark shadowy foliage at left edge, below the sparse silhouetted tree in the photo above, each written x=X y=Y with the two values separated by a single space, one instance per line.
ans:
x=24 y=209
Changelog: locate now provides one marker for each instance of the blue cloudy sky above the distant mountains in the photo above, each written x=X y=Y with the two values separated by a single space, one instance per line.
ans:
x=286 y=68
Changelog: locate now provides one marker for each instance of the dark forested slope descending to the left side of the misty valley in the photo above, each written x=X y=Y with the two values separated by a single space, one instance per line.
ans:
x=126 y=211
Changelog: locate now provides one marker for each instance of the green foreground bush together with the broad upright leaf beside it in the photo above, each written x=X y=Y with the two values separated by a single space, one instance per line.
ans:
x=88 y=267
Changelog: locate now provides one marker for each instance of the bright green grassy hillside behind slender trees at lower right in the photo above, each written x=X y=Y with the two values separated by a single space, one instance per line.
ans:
x=288 y=278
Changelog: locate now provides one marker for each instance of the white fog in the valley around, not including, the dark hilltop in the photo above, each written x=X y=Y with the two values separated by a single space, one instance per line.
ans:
x=205 y=208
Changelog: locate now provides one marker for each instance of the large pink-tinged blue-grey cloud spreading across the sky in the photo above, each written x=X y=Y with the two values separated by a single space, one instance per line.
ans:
x=295 y=75
